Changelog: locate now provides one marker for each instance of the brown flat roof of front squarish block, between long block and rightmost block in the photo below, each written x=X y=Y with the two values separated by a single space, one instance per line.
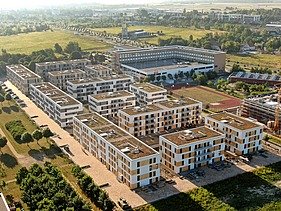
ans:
x=192 y=135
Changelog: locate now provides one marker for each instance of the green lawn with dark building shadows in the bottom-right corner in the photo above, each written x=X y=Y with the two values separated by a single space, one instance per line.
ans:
x=256 y=190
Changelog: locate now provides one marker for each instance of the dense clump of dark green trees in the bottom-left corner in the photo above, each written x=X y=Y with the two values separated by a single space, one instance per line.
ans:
x=44 y=188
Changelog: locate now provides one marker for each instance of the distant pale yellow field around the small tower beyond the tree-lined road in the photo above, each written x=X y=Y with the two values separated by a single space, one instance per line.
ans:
x=168 y=32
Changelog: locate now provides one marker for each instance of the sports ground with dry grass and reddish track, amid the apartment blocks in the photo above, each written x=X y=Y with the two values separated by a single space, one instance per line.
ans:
x=213 y=100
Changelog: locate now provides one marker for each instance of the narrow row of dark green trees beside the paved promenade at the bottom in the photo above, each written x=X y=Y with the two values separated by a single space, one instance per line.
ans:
x=92 y=190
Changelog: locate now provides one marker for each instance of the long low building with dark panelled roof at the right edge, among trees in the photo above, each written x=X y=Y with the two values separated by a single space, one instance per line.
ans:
x=255 y=78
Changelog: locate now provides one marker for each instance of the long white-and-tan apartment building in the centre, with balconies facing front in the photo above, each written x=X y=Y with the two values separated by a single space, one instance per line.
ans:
x=160 y=117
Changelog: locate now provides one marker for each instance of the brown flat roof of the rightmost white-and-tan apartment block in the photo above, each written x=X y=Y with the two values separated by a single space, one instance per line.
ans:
x=234 y=120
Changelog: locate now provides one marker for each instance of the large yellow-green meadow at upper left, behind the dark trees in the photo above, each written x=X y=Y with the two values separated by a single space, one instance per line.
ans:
x=26 y=43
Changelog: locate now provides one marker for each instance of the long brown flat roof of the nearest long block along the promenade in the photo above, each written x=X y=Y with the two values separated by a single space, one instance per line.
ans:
x=121 y=139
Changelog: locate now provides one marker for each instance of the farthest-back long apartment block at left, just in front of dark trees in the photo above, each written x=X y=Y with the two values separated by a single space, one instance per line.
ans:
x=42 y=69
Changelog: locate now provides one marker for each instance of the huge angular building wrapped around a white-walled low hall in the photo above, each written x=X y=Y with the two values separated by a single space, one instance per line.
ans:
x=160 y=59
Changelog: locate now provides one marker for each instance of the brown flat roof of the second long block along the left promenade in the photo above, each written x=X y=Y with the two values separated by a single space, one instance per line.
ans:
x=55 y=94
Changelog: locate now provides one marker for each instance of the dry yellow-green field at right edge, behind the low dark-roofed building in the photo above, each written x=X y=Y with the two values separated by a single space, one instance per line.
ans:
x=258 y=60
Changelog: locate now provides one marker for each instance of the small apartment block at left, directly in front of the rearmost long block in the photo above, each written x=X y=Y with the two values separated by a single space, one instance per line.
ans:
x=59 y=78
